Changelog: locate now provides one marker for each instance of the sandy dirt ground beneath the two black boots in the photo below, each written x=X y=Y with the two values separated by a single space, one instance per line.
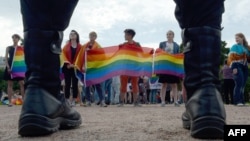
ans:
x=147 y=123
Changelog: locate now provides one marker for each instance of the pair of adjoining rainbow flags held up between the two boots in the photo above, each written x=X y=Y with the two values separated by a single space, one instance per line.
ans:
x=104 y=63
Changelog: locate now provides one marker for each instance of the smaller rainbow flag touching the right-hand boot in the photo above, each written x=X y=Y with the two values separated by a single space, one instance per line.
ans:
x=165 y=63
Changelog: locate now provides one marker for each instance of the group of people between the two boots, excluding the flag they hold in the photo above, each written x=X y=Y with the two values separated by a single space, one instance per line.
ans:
x=120 y=89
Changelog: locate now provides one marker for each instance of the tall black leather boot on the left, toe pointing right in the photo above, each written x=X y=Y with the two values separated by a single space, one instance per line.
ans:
x=45 y=109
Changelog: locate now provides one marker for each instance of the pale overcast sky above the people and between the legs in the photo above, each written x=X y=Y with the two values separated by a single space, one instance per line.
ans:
x=149 y=18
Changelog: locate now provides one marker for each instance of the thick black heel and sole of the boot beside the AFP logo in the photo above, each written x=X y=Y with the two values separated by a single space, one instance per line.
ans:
x=208 y=127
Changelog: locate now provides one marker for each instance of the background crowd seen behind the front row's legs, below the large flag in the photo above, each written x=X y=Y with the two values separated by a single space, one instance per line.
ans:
x=111 y=94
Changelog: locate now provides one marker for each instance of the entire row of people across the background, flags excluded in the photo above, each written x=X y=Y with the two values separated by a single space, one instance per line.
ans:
x=125 y=89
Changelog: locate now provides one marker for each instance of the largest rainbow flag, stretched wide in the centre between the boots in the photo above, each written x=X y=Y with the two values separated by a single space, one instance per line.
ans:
x=105 y=63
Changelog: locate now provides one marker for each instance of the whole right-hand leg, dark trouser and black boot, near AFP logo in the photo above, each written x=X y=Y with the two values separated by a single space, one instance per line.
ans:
x=200 y=20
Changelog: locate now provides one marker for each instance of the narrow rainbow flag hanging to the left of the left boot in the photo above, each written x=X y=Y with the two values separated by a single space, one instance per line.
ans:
x=18 y=68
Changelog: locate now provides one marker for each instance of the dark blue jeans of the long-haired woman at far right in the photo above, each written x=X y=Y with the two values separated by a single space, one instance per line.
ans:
x=240 y=80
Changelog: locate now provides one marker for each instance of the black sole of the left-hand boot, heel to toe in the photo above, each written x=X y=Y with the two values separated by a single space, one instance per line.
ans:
x=37 y=125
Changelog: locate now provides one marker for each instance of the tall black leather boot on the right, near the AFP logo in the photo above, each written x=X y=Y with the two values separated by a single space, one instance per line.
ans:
x=205 y=114
